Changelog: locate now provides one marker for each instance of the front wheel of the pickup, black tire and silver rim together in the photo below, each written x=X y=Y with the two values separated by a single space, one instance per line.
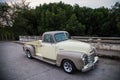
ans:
x=68 y=66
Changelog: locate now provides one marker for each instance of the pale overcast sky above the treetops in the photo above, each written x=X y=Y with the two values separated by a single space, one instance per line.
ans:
x=81 y=3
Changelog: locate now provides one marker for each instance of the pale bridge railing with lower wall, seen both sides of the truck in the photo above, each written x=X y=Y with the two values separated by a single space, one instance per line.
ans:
x=109 y=43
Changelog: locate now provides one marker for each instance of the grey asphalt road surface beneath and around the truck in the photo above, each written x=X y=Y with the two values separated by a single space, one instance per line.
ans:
x=15 y=66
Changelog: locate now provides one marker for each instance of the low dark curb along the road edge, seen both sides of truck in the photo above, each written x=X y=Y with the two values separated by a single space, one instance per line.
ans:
x=113 y=57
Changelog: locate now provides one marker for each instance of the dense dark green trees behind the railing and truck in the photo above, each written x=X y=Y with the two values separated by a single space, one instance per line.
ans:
x=59 y=16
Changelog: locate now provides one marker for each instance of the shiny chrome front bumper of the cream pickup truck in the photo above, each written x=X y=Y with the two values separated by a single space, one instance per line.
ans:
x=89 y=66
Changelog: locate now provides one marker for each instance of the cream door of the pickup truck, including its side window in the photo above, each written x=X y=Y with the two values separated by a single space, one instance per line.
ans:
x=47 y=48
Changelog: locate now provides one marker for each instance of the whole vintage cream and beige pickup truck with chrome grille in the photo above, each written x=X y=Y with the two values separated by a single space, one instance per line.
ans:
x=57 y=48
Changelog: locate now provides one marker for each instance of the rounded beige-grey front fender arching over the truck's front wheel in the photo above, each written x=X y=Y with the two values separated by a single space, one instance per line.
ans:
x=75 y=57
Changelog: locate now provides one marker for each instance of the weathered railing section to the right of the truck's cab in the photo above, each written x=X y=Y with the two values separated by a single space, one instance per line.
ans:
x=107 y=43
